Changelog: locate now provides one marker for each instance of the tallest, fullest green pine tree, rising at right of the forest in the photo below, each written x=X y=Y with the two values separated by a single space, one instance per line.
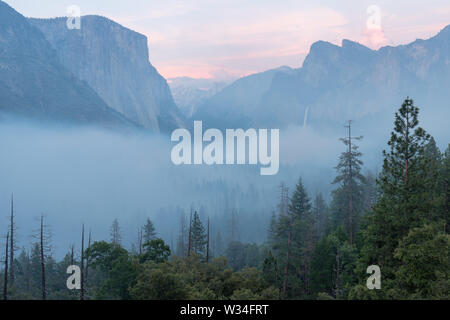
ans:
x=405 y=194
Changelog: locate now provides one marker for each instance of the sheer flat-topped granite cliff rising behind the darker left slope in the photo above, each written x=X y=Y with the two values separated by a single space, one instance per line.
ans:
x=114 y=61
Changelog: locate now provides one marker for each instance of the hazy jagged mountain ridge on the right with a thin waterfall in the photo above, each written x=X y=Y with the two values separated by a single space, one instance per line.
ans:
x=337 y=83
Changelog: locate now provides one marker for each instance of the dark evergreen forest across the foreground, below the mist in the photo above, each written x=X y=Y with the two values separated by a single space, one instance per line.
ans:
x=396 y=218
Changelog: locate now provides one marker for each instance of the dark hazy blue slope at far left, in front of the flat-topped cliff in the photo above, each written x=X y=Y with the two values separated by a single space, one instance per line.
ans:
x=33 y=83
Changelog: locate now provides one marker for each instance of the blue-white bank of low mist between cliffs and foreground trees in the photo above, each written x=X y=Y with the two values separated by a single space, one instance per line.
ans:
x=92 y=176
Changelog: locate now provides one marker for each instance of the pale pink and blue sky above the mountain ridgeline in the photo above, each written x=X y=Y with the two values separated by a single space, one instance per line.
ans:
x=233 y=38
